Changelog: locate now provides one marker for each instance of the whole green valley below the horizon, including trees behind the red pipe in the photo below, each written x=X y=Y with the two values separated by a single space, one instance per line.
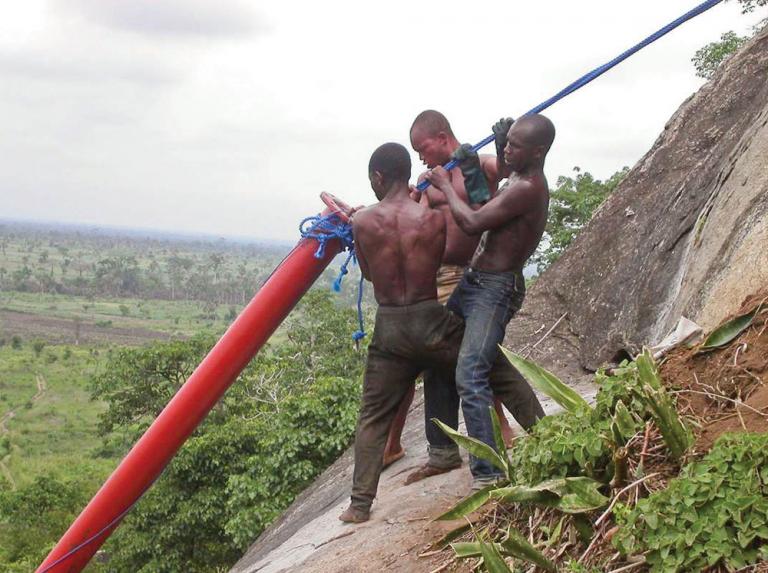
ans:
x=71 y=411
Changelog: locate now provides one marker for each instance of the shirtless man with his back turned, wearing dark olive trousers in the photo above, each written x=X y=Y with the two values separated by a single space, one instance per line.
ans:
x=399 y=245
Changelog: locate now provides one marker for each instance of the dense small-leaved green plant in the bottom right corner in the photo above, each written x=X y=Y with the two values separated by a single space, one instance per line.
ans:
x=716 y=512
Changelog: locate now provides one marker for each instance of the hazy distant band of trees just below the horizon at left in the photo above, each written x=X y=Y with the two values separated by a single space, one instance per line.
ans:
x=55 y=262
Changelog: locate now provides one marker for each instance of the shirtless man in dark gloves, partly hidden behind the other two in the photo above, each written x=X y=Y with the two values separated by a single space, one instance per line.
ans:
x=433 y=139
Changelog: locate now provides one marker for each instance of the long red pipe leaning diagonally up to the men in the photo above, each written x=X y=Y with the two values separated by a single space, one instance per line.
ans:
x=147 y=459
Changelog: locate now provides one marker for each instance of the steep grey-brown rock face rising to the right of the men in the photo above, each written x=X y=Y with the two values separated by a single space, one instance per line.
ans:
x=685 y=233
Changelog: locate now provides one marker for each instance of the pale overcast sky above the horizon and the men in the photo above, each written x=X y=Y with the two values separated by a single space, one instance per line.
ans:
x=230 y=117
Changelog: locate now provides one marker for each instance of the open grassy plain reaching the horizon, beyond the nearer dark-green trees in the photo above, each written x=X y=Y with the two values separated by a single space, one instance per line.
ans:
x=51 y=340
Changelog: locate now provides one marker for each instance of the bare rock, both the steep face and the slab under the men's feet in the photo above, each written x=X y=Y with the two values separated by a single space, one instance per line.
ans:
x=686 y=233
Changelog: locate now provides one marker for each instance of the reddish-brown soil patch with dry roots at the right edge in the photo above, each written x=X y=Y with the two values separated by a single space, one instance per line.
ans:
x=725 y=390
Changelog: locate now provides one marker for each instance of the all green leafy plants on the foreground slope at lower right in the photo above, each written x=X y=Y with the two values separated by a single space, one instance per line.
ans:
x=576 y=463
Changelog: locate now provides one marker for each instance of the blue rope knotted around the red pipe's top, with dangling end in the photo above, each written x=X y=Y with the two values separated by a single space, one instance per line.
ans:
x=323 y=229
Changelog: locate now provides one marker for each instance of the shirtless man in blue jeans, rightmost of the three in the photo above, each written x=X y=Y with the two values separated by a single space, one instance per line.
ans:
x=492 y=289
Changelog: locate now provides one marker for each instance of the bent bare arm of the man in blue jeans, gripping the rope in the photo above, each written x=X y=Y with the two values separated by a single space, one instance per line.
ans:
x=512 y=202
